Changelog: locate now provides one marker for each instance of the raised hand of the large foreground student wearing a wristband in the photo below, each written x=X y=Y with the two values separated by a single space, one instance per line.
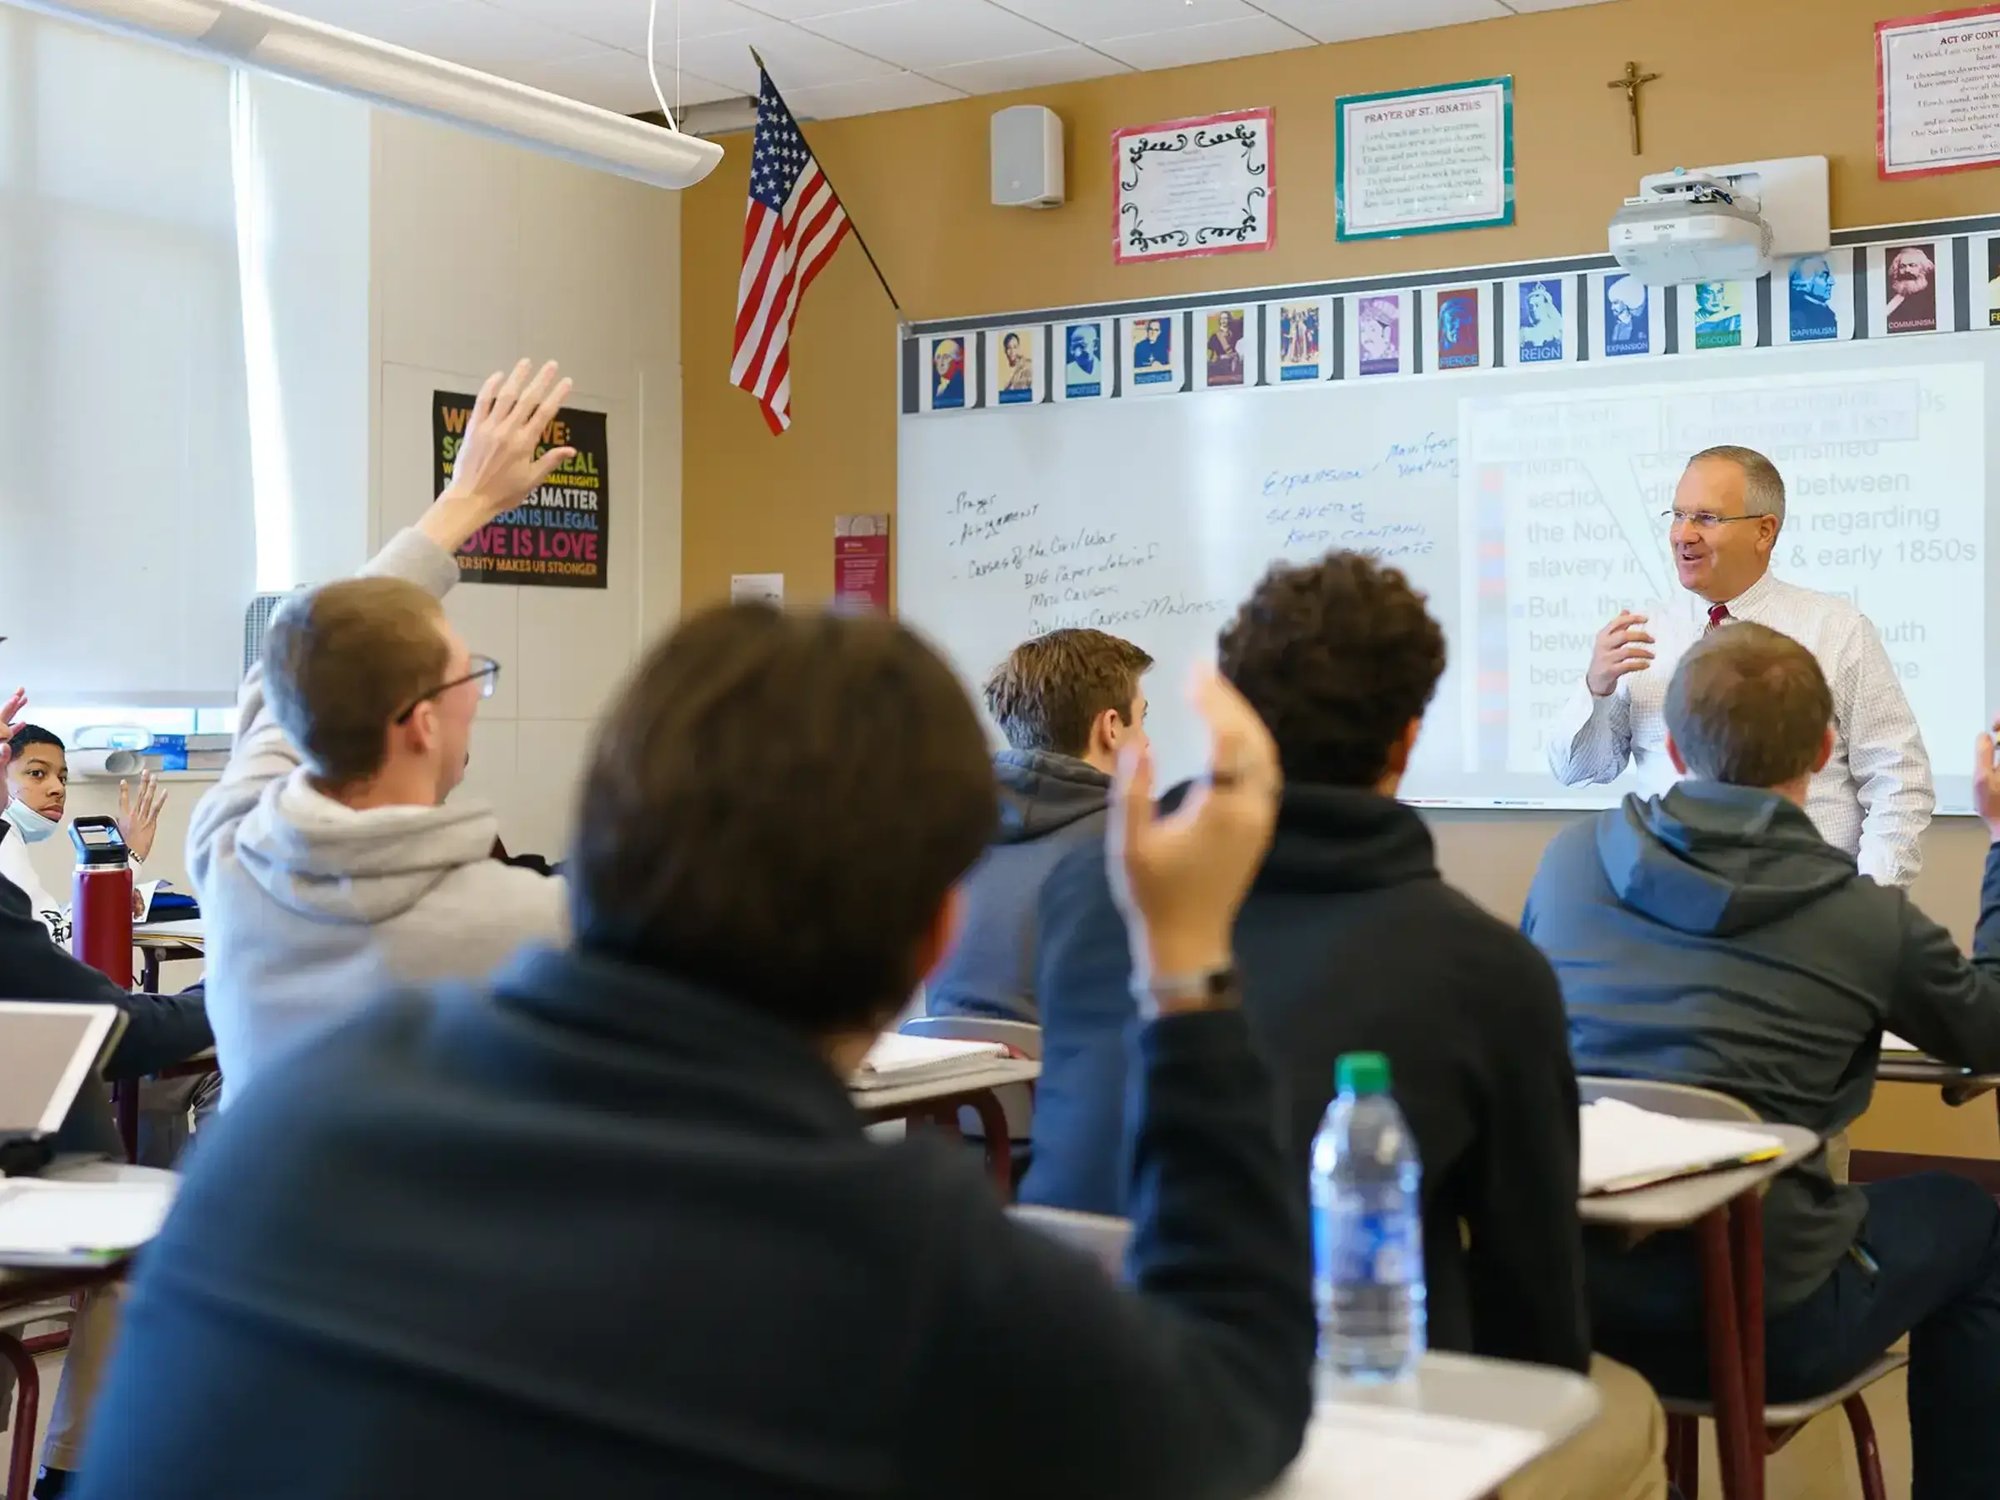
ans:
x=1181 y=879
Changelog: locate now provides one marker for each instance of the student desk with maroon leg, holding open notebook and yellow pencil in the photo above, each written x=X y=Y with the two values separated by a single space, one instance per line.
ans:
x=1727 y=1215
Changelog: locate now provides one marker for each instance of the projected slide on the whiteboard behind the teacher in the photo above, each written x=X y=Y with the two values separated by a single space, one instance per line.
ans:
x=1567 y=493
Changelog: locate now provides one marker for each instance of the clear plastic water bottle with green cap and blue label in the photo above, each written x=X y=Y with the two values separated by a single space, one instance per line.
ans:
x=1367 y=1231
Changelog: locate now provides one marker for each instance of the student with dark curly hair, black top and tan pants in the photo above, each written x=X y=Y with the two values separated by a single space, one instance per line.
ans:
x=1353 y=943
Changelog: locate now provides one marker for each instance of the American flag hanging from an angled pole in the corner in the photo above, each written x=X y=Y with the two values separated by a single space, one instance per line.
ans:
x=791 y=231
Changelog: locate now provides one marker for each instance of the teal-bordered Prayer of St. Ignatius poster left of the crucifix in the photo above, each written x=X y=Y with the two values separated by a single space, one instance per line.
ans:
x=1425 y=161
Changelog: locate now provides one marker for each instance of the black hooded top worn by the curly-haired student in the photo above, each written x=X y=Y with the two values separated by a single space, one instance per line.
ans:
x=1353 y=943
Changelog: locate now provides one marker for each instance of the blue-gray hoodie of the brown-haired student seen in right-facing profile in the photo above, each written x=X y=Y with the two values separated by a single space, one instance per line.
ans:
x=1049 y=805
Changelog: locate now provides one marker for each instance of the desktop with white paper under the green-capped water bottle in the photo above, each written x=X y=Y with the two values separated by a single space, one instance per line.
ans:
x=1417 y=1435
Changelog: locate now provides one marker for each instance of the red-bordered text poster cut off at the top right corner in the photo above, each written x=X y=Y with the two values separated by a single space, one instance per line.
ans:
x=1939 y=93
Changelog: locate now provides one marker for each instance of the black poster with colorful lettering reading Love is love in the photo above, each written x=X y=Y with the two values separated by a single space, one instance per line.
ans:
x=561 y=537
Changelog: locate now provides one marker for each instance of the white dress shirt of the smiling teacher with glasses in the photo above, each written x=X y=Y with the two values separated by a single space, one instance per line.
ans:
x=1875 y=795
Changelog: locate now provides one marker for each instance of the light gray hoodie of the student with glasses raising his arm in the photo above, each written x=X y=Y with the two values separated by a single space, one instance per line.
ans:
x=313 y=909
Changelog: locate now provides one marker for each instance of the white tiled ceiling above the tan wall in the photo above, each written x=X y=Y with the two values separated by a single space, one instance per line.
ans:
x=841 y=57
